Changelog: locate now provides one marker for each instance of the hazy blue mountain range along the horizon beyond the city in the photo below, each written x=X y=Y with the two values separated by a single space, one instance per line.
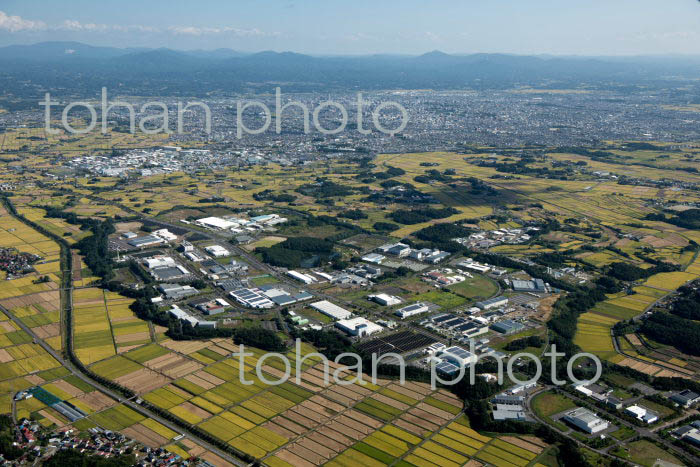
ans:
x=73 y=65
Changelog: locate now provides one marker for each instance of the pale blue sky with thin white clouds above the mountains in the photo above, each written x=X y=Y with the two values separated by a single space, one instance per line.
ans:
x=352 y=27
